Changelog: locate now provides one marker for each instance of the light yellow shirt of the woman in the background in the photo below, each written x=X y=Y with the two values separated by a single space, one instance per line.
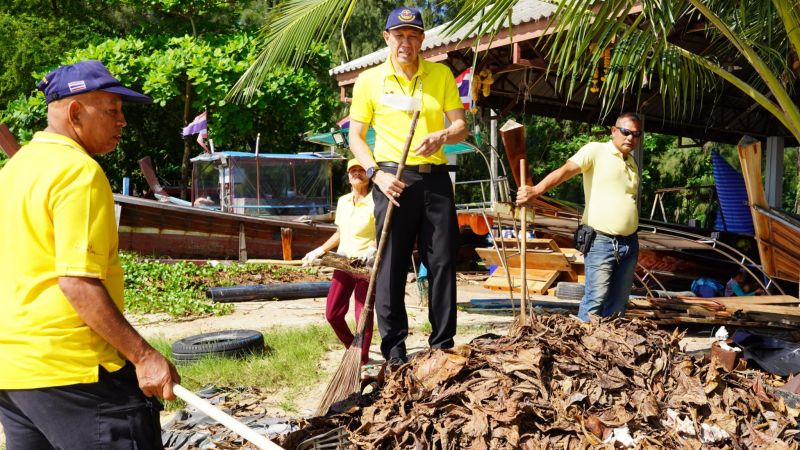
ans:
x=356 y=224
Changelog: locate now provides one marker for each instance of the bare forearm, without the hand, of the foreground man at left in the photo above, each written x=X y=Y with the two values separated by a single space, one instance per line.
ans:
x=96 y=308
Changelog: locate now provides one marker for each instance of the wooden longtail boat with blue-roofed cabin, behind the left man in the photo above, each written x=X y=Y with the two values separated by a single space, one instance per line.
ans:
x=244 y=206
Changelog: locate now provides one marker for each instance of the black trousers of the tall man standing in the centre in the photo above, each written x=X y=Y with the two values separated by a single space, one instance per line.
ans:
x=427 y=216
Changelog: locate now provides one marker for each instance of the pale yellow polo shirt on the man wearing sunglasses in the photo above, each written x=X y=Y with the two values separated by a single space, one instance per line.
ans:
x=610 y=186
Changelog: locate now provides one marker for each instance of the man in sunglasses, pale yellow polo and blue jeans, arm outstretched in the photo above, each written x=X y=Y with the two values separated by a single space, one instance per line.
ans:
x=610 y=185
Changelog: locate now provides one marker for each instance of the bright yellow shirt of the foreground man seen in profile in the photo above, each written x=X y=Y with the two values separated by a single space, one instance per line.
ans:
x=58 y=213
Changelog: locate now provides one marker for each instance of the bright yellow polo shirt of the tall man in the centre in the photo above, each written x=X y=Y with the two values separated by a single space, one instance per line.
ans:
x=433 y=83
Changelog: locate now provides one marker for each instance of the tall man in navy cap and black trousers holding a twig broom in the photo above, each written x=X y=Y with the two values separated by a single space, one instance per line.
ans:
x=425 y=212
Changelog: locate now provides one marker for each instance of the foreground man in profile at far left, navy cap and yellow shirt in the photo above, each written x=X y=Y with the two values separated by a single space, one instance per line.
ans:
x=75 y=375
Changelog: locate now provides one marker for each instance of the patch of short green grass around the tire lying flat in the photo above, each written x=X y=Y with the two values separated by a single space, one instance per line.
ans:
x=290 y=365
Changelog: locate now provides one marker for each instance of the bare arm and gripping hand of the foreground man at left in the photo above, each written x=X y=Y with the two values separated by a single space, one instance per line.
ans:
x=96 y=308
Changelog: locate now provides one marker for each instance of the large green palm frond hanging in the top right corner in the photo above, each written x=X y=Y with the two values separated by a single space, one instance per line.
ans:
x=581 y=29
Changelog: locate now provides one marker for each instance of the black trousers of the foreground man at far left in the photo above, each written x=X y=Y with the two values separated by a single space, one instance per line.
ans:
x=110 y=414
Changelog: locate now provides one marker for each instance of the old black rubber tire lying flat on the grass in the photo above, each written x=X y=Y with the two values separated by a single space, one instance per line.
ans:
x=231 y=343
